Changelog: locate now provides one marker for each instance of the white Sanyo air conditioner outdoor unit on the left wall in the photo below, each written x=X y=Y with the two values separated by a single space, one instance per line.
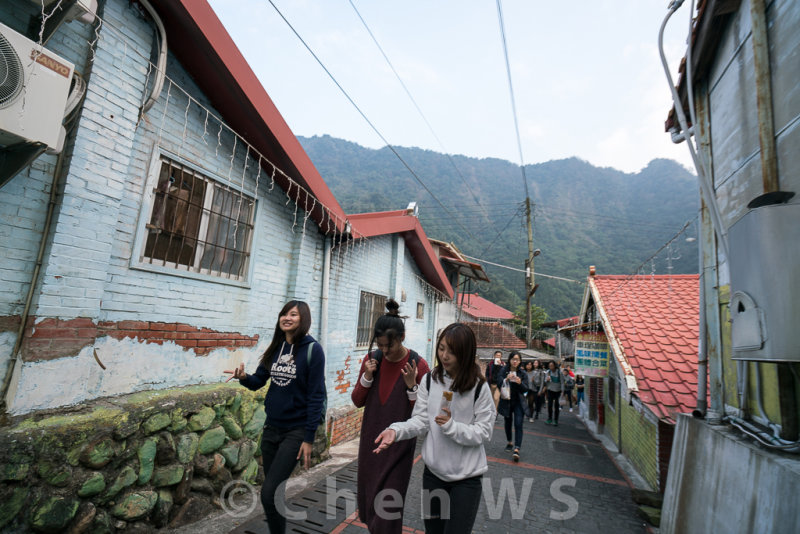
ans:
x=34 y=86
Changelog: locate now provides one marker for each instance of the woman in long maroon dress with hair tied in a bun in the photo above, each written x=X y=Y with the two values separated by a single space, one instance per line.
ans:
x=387 y=389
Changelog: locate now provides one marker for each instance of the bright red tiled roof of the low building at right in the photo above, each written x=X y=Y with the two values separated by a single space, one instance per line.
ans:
x=655 y=321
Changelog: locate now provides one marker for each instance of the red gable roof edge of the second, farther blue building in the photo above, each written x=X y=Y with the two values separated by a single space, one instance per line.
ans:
x=405 y=224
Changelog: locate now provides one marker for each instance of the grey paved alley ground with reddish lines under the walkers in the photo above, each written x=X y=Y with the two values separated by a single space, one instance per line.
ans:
x=575 y=482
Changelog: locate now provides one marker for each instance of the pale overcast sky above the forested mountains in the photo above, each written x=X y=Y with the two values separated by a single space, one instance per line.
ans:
x=587 y=77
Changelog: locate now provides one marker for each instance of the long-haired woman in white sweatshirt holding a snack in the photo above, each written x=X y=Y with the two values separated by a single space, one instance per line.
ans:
x=456 y=411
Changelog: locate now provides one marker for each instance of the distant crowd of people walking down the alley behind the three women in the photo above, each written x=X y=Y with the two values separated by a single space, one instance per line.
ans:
x=520 y=390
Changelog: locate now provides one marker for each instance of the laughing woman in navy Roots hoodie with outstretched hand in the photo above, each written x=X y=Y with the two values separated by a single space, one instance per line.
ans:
x=295 y=363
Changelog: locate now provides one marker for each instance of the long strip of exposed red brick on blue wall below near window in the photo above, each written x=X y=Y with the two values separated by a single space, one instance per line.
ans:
x=52 y=338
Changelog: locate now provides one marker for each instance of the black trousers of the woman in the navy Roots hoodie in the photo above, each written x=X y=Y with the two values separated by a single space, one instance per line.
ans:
x=279 y=448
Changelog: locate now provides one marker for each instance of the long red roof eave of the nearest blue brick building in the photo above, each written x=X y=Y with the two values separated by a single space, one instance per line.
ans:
x=205 y=49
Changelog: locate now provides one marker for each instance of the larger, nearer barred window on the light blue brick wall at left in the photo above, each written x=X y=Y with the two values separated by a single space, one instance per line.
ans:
x=198 y=224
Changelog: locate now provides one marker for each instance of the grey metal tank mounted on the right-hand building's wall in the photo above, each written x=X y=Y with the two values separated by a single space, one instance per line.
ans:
x=765 y=284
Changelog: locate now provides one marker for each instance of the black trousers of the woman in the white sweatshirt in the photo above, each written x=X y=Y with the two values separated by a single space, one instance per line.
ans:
x=450 y=507
